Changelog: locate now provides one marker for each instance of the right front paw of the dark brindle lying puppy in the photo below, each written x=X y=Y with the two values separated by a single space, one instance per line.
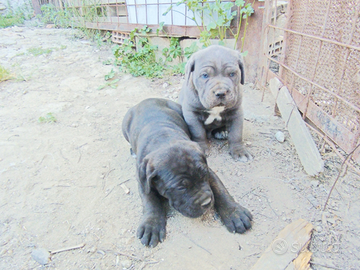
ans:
x=237 y=220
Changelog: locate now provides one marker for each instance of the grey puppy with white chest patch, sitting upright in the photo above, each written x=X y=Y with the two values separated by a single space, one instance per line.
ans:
x=211 y=98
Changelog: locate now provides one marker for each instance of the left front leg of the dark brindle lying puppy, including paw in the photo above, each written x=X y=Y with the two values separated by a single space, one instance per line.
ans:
x=152 y=226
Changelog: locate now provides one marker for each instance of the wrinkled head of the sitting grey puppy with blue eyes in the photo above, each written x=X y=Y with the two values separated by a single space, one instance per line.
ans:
x=215 y=75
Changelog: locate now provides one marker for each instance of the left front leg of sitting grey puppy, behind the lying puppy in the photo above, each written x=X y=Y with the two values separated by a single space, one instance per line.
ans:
x=197 y=131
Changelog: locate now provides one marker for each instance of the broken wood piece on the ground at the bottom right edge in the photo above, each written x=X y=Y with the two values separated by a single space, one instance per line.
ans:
x=283 y=252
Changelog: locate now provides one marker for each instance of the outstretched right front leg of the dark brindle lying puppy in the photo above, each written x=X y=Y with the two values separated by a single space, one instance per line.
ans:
x=237 y=219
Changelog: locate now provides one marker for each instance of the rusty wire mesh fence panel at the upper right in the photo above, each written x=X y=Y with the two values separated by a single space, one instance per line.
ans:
x=321 y=66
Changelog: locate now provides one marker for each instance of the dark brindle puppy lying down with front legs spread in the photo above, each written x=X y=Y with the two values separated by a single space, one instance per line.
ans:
x=171 y=167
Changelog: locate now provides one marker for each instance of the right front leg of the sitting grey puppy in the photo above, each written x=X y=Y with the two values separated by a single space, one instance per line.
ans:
x=236 y=146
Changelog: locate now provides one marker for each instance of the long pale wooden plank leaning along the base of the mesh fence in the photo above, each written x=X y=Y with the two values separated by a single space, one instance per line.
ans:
x=305 y=147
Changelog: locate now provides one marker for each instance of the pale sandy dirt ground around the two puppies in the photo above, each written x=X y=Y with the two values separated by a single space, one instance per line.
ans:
x=65 y=183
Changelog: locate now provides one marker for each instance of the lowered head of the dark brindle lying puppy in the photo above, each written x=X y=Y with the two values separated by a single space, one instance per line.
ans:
x=180 y=174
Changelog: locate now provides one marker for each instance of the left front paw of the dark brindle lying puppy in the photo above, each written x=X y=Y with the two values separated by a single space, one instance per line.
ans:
x=151 y=231
